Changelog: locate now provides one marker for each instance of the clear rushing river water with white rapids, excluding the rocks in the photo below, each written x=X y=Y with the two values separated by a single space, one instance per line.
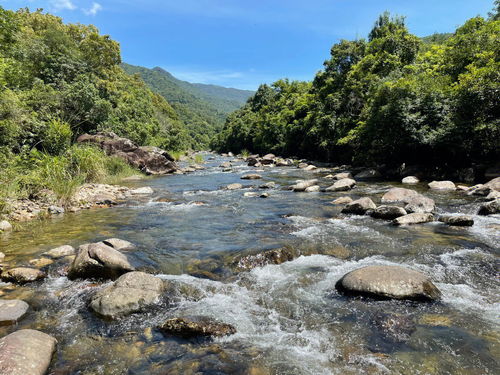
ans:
x=289 y=318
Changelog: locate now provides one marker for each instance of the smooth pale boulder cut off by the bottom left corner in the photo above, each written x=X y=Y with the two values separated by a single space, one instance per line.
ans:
x=26 y=352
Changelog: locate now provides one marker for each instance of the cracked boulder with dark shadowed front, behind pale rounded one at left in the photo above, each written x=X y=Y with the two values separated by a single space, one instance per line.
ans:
x=98 y=260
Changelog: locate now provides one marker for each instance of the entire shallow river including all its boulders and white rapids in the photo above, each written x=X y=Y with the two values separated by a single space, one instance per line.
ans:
x=336 y=271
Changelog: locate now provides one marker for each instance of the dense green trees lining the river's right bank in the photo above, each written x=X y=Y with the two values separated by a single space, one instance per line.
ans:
x=392 y=98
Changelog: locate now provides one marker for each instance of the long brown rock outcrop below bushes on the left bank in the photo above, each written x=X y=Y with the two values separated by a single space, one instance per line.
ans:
x=150 y=160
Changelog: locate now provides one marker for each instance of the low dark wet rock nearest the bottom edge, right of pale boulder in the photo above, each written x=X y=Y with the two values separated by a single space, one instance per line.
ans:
x=189 y=327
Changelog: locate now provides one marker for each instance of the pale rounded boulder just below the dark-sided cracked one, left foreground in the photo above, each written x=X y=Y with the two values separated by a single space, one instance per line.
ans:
x=131 y=292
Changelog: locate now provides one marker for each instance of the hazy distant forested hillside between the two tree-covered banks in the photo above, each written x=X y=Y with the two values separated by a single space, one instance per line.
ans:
x=203 y=108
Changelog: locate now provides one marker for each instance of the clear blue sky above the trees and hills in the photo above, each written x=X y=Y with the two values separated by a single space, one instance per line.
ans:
x=242 y=43
